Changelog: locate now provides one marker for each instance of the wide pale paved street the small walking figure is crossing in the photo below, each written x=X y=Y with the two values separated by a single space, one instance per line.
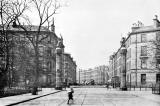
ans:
x=96 y=97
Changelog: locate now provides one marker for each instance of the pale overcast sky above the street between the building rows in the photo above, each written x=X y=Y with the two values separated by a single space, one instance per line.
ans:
x=92 y=29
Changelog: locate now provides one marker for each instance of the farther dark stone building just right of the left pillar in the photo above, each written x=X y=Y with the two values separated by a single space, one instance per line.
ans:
x=69 y=70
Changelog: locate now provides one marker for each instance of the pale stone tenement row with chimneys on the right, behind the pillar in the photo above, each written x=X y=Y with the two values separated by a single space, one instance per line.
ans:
x=142 y=57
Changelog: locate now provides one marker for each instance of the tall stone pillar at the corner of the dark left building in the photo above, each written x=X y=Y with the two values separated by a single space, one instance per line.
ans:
x=59 y=65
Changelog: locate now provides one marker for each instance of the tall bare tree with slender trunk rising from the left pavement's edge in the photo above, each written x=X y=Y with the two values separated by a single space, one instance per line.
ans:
x=45 y=10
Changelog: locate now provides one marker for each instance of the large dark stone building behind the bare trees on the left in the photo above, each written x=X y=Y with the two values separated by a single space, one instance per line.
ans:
x=22 y=56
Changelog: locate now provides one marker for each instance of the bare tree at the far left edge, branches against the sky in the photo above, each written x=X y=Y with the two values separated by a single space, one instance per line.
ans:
x=9 y=11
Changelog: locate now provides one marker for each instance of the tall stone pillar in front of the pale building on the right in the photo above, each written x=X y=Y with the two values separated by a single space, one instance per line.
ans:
x=123 y=52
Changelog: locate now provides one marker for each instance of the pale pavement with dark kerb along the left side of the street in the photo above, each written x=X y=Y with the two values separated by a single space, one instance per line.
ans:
x=14 y=100
